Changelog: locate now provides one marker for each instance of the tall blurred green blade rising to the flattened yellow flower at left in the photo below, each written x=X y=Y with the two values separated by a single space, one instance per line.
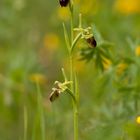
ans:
x=40 y=111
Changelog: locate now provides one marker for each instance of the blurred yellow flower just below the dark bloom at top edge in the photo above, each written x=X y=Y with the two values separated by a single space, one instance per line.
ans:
x=63 y=13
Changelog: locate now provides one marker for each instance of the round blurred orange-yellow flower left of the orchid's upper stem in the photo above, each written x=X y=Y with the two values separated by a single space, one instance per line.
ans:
x=51 y=41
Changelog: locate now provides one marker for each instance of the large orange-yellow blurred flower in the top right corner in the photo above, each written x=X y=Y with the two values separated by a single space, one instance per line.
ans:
x=127 y=6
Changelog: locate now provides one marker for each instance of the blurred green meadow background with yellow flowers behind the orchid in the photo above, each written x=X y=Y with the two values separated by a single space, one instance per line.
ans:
x=32 y=47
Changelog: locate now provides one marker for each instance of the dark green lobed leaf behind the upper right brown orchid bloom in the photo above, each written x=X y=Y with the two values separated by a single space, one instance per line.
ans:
x=99 y=54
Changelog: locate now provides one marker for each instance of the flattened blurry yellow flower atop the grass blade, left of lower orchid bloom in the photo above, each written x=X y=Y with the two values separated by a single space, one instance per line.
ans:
x=38 y=78
